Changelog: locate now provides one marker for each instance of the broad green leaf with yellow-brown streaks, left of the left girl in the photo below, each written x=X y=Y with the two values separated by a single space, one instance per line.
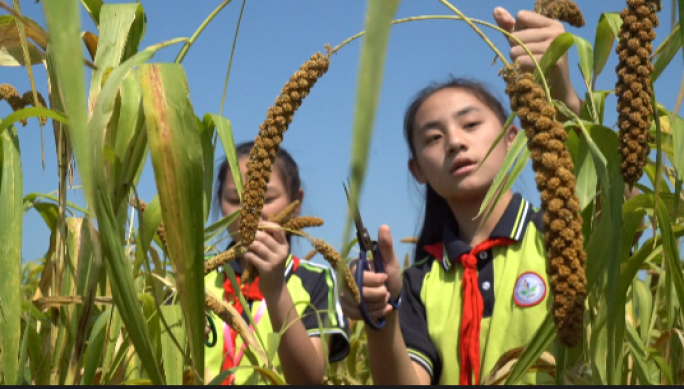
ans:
x=176 y=152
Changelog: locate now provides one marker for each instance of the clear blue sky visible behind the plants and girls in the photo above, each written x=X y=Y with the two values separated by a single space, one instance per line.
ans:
x=276 y=37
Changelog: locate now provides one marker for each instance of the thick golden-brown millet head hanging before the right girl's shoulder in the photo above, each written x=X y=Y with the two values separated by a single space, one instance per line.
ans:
x=554 y=169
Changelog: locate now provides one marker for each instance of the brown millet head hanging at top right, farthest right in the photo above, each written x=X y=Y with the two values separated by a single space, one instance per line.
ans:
x=633 y=87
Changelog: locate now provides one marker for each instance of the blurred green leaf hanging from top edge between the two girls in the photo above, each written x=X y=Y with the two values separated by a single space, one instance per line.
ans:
x=378 y=23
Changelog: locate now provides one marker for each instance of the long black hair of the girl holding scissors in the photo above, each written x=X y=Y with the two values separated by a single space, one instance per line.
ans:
x=437 y=210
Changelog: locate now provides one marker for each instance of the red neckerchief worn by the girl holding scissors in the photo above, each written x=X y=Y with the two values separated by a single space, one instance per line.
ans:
x=473 y=306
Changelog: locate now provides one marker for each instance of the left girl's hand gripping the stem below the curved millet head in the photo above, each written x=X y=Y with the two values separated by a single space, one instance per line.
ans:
x=268 y=254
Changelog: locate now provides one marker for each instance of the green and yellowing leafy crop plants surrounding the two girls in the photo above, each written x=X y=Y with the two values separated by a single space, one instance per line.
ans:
x=119 y=298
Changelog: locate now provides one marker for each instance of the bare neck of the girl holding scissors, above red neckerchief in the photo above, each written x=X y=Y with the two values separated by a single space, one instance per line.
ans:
x=468 y=226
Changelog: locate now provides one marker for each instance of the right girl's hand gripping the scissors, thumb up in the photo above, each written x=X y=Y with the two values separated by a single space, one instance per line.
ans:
x=375 y=293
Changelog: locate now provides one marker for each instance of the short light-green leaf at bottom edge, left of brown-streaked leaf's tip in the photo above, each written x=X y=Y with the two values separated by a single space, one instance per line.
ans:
x=172 y=357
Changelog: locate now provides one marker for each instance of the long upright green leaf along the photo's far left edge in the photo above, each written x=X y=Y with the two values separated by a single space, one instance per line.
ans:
x=11 y=216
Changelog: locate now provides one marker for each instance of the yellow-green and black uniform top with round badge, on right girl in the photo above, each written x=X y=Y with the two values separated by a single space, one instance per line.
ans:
x=512 y=281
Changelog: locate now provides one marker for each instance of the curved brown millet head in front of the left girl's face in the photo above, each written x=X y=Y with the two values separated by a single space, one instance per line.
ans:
x=267 y=144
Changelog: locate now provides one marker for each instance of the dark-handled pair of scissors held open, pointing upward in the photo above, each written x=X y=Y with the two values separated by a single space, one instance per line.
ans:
x=367 y=244
